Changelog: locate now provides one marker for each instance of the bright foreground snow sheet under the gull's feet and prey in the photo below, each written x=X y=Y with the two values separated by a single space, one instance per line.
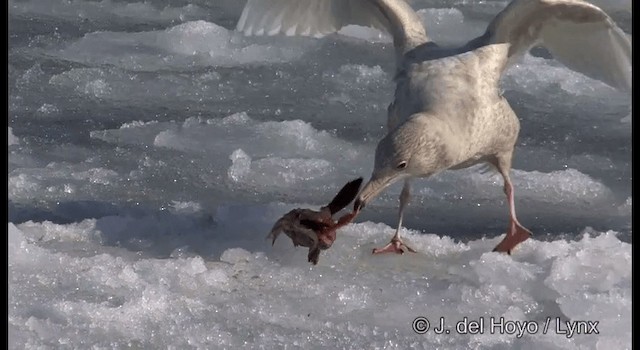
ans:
x=200 y=286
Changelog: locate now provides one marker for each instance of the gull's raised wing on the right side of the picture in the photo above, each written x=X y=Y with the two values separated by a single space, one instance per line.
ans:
x=578 y=34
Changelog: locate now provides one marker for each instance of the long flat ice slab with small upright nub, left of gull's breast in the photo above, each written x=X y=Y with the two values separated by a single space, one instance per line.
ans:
x=260 y=141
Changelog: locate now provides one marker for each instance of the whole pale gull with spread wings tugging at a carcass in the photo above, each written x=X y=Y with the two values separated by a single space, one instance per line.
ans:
x=448 y=112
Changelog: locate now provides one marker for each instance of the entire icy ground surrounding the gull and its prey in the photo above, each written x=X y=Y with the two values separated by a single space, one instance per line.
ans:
x=151 y=148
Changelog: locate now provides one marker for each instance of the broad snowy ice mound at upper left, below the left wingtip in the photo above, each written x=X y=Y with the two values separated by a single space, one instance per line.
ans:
x=191 y=44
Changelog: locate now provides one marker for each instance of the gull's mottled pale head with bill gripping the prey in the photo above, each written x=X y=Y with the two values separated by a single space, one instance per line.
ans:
x=407 y=151
